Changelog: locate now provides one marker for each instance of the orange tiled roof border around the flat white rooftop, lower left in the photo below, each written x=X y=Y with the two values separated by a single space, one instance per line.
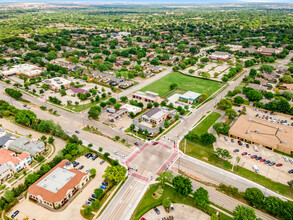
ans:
x=56 y=197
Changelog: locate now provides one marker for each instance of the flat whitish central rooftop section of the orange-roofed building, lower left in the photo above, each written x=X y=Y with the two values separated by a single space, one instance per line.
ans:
x=56 y=180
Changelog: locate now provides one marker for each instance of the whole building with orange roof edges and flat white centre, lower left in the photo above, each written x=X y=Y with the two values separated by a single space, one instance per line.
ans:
x=57 y=186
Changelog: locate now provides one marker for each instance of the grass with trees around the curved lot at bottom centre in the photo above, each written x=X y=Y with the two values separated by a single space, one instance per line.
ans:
x=148 y=202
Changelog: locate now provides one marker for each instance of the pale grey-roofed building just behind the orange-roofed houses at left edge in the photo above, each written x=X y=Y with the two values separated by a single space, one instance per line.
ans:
x=22 y=144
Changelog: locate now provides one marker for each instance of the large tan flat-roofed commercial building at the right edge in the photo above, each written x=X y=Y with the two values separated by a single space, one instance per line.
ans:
x=270 y=135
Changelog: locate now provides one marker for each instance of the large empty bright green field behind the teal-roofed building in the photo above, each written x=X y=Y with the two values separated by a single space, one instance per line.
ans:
x=199 y=85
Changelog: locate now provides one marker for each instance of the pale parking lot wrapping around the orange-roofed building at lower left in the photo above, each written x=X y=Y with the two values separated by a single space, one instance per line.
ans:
x=72 y=211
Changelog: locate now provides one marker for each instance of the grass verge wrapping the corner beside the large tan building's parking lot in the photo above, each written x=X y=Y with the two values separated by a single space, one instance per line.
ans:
x=206 y=153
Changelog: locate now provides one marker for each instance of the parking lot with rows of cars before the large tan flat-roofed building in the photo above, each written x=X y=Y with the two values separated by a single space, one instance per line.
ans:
x=278 y=174
